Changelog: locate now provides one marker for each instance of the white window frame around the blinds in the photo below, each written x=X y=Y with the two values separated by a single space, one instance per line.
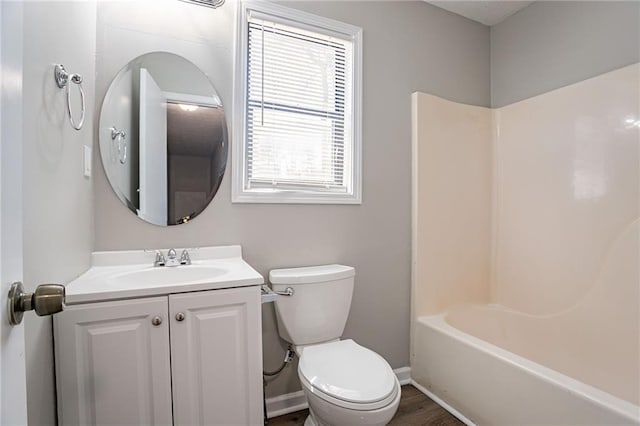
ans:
x=285 y=15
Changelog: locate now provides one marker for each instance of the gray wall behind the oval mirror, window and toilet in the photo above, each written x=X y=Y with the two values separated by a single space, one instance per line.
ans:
x=408 y=46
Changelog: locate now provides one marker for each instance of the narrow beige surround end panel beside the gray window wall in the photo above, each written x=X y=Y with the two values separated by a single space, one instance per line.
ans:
x=451 y=212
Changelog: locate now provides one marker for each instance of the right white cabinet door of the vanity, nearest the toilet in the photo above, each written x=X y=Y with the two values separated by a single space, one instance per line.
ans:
x=216 y=357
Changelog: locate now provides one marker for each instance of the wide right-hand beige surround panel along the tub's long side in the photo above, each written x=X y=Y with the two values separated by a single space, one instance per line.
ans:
x=566 y=189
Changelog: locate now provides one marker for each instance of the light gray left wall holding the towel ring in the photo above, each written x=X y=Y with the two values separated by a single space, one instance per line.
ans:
x=58 y=201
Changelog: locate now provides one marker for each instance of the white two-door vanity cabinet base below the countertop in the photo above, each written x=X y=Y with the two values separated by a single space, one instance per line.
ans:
x=184 y=359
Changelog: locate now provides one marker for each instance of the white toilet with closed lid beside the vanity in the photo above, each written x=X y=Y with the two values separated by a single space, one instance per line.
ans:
x=345 y=383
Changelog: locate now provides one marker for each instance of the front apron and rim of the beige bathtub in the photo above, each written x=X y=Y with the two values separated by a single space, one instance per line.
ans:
x=456 y=369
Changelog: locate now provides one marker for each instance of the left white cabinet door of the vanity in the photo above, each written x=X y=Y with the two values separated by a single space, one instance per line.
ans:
x=112 y=363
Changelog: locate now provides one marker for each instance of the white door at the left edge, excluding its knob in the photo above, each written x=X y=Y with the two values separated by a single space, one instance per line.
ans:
x=13 y=399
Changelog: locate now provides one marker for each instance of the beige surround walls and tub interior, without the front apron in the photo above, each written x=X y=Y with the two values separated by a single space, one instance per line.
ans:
x=565 y=241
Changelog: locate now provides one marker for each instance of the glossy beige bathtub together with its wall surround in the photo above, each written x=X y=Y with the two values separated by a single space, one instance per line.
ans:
x=563 y=284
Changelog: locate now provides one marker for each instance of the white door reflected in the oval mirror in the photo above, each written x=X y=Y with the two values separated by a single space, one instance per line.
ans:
x=153 y=151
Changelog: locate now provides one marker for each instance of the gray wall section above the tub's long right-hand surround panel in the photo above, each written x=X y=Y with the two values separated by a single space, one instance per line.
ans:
x=551 y=44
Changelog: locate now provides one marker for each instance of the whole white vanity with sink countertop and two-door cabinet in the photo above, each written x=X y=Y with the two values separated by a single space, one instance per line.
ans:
x=144 y=344
